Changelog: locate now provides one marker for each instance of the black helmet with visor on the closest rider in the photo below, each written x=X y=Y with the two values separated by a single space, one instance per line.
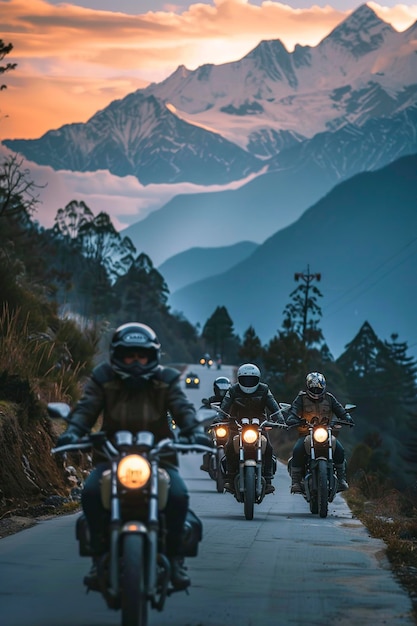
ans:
x=134 y=337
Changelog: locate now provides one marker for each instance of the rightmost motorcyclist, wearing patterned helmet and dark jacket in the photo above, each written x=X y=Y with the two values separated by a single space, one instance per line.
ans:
x=315 y=401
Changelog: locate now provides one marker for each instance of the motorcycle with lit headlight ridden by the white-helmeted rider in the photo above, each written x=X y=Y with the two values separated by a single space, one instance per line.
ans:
x=249 y=444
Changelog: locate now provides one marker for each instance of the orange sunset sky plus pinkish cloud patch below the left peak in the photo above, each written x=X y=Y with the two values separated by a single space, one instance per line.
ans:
x=74 y=58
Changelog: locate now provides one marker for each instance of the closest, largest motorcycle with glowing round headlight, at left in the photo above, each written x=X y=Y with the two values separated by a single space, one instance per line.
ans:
x=134 y=573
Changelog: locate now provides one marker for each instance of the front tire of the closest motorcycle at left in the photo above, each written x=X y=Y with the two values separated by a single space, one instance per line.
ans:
x=133 y=592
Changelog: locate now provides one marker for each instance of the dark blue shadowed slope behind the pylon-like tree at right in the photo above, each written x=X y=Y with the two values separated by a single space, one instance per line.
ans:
x=361 y=237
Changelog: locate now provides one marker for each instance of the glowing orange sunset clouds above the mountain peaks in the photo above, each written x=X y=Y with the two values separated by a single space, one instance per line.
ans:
x=73 y=61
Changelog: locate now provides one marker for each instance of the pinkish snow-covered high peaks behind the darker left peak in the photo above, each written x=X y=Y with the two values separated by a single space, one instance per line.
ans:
x=363 y=69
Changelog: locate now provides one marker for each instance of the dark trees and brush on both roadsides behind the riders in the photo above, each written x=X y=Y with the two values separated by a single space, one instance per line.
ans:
x=64 y=290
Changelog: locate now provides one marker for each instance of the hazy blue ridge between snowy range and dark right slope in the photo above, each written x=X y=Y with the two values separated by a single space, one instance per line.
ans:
x=272 y=201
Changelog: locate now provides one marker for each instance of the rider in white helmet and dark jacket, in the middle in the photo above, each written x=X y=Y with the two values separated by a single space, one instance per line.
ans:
x=249 y=398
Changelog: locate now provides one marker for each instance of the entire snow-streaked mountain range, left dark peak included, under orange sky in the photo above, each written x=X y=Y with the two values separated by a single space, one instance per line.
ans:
x=217 y=124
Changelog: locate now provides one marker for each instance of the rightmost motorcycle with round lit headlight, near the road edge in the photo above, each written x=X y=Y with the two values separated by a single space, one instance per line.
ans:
x=319 y=485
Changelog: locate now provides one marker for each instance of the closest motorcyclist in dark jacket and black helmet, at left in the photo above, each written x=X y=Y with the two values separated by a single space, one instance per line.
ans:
x=134 y=392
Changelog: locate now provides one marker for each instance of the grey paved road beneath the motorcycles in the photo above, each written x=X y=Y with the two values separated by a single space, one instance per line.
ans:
x=285 y=567
